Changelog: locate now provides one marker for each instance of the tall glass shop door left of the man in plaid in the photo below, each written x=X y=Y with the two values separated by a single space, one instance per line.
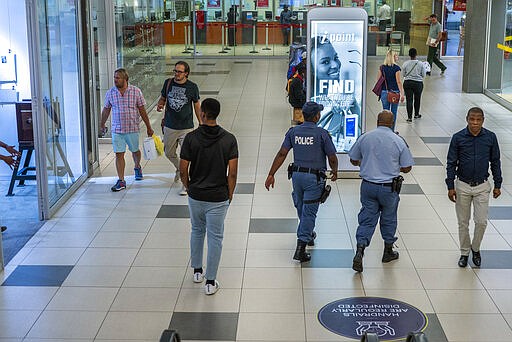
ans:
x=57 y=100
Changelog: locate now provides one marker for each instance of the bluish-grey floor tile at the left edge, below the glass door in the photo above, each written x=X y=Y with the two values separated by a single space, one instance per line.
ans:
x=38 y=275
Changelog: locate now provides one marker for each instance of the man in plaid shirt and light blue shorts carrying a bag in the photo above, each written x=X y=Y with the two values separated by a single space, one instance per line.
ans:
x=126 y=103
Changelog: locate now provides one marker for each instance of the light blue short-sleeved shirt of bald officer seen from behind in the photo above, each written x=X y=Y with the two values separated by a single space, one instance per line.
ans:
x=382 y=153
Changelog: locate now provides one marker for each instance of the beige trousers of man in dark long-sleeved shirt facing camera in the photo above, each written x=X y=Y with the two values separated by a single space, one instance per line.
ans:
x=479 y=197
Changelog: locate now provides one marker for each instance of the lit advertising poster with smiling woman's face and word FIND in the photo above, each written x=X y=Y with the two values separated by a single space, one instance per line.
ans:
x=336 y=58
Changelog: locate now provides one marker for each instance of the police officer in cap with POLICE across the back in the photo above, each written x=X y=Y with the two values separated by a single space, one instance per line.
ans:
x=311 y=144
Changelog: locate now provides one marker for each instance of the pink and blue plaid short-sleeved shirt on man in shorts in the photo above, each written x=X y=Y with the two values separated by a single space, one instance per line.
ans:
x=125 y=109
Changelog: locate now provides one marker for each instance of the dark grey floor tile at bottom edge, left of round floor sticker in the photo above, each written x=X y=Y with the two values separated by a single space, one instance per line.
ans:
x=206 y=326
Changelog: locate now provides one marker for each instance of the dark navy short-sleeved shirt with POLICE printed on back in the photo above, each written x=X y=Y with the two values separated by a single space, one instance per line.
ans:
x=311 y=144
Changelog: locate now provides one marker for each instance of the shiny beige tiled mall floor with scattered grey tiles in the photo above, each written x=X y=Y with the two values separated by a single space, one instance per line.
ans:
x=115 y=266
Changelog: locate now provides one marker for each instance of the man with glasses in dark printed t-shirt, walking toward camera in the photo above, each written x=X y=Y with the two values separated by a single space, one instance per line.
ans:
x=178 y=95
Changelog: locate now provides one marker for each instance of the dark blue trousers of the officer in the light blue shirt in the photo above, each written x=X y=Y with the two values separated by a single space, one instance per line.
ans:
x=377 y=202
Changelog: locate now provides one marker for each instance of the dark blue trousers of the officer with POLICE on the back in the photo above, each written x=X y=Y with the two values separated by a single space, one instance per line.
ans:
x=306 y=187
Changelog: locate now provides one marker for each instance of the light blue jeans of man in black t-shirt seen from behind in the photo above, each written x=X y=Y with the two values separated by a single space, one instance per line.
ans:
x=207 y=217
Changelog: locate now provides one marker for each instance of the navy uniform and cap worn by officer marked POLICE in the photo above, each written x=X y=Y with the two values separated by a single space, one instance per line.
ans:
x=311 y=145
